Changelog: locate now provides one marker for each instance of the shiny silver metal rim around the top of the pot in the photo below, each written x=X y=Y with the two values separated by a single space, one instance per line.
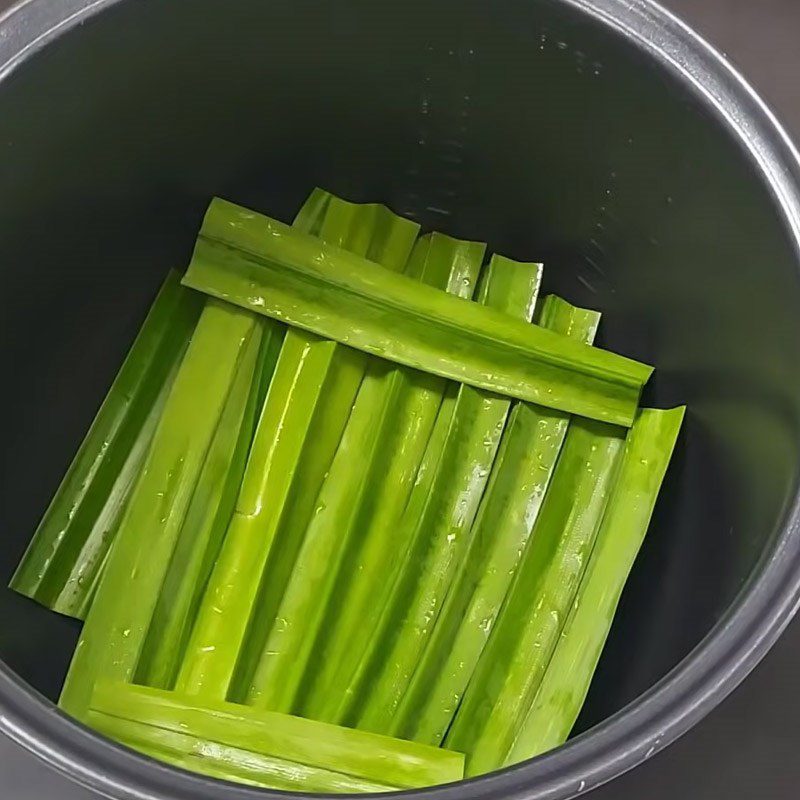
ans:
x=753 y=623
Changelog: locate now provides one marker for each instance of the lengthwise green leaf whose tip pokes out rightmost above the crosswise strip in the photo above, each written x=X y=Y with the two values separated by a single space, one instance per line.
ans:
x=520 y=476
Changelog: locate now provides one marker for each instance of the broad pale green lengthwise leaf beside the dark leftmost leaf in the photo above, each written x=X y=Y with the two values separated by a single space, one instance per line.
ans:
x=117 y=623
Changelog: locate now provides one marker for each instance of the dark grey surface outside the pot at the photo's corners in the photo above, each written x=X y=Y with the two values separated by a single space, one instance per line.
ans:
x=747 y=748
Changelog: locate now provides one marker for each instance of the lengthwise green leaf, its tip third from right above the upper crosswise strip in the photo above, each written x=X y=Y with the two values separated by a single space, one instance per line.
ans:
x=362 y=497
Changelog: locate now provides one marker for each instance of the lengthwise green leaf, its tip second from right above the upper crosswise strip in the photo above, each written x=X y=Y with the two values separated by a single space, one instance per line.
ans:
x=438 y=517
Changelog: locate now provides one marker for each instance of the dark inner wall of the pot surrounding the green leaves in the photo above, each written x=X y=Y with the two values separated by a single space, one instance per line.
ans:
x=523 y=124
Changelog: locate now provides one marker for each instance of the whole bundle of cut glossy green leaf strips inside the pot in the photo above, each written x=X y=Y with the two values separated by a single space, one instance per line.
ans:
x=348 y=520
